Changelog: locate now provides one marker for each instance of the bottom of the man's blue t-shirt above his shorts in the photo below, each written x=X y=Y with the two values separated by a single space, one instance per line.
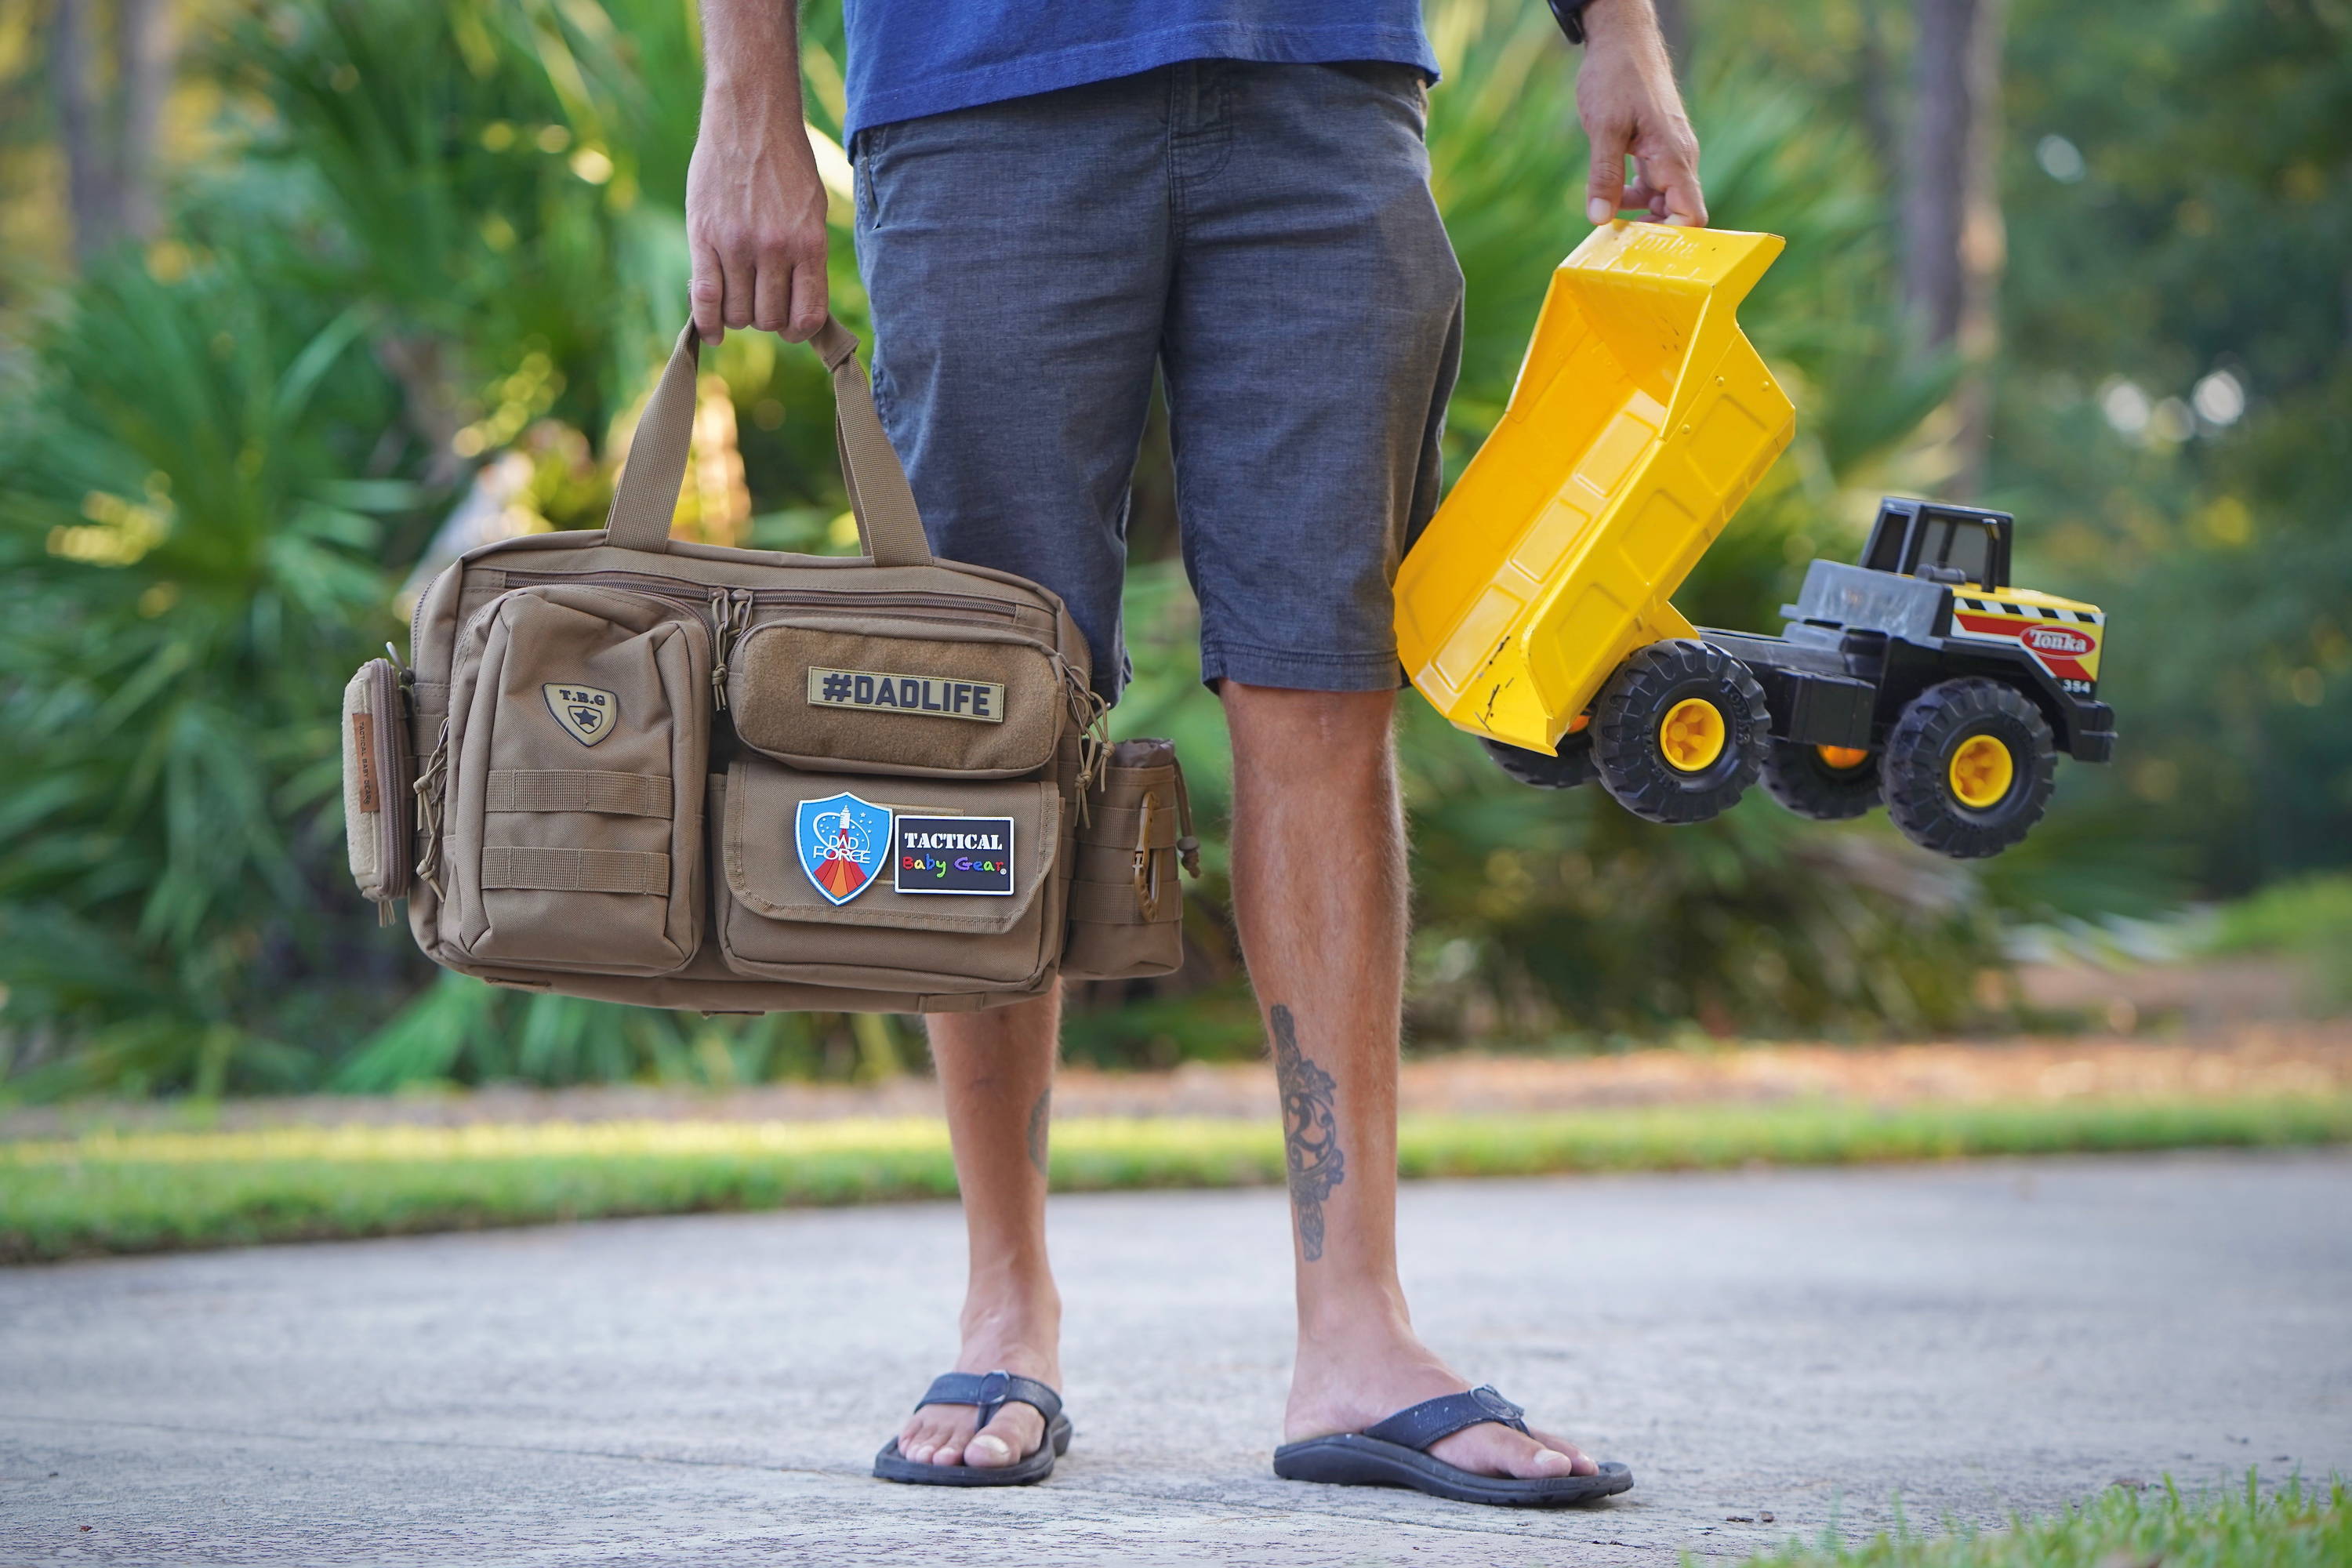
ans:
x=926 y=58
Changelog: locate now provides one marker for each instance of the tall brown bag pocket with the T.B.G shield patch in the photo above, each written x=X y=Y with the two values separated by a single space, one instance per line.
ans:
x=575 y=765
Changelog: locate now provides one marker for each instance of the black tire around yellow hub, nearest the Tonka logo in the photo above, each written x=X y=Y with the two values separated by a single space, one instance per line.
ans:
x=1918 y=768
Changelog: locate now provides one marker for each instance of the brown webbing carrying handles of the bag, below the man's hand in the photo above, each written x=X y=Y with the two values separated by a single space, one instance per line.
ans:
x=890 y=528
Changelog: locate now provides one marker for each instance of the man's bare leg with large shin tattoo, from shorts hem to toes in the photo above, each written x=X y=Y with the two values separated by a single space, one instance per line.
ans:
x=1321 y=897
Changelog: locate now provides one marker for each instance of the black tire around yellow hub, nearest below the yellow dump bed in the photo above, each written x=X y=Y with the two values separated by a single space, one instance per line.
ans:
x=1626 y=732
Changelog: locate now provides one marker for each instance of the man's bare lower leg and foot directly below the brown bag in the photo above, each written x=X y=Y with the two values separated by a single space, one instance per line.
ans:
x=998 y=1076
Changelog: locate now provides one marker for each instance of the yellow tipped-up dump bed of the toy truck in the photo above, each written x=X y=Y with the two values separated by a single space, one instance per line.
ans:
x=1641 y=422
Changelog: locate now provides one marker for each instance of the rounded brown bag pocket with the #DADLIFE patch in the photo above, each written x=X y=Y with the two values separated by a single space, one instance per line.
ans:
x=864 y=695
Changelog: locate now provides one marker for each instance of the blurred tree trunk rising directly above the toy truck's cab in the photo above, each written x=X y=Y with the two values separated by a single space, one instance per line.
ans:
x=1951 y=206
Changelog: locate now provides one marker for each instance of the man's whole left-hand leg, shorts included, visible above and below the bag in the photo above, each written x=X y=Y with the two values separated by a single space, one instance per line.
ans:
x=1017 y=267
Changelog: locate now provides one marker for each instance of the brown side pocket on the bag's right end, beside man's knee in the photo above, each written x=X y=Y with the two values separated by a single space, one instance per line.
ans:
x=1125 y=902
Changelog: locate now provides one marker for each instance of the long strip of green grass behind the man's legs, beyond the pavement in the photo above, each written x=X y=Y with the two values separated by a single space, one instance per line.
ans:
x=135 y=1193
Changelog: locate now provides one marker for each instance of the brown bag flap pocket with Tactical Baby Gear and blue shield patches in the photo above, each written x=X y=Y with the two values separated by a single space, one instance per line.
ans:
x=843 y=878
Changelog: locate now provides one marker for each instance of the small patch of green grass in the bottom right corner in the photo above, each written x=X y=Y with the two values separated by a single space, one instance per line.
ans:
x=2297 y=1527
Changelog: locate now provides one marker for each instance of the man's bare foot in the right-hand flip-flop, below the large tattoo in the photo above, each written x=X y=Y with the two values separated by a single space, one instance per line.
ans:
x=1363 y=1374
